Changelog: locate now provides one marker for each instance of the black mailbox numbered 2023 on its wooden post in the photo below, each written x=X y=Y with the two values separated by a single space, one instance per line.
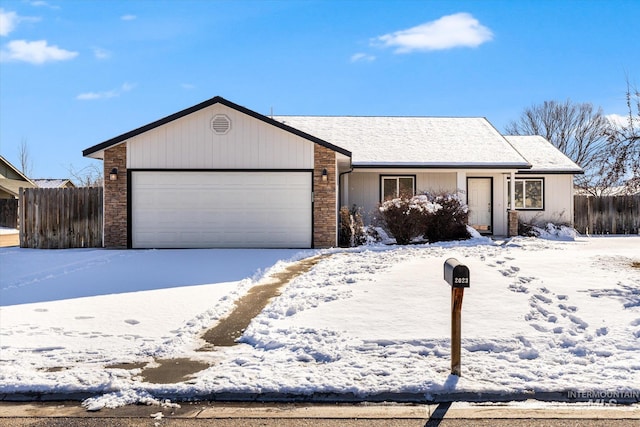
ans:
x=457 y=276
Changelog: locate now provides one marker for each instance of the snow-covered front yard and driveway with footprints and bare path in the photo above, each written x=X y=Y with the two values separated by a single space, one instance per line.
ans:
x=540 y=315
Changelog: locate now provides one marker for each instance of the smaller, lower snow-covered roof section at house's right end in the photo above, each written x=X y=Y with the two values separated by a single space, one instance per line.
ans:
x=543 y=156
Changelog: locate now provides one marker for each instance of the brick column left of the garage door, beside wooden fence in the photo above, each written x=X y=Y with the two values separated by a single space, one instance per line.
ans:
x=115 y=198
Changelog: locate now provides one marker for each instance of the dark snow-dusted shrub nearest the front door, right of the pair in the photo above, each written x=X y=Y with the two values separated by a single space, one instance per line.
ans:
x=450 y=221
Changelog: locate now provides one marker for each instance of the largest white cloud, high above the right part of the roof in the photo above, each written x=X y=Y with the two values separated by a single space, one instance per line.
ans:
x=457 y=30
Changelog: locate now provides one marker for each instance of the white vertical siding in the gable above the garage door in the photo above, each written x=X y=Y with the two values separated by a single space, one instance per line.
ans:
x=189 y=143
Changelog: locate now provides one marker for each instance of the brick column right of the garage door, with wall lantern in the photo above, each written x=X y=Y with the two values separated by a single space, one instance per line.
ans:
x=325 y=218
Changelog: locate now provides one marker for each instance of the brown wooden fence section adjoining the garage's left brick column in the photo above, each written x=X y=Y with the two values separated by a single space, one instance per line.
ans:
x=60 y=218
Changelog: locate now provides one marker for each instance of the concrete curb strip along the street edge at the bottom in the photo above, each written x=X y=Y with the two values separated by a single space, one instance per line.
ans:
x=209 y=410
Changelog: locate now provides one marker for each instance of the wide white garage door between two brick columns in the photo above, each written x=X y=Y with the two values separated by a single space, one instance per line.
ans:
x=221 y=209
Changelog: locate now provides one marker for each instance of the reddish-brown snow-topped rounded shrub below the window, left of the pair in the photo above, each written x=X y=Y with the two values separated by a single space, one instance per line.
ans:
x=405 y=217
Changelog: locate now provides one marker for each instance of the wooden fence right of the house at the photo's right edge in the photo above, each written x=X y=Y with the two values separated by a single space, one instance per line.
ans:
x=607 y=214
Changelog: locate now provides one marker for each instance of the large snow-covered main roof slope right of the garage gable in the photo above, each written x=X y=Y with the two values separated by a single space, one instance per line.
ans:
x=413 y=141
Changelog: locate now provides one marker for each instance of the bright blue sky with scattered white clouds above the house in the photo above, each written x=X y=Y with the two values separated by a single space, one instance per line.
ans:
x=76 y=73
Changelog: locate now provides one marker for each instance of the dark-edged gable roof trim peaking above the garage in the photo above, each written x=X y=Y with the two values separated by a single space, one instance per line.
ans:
x=97 y=150
